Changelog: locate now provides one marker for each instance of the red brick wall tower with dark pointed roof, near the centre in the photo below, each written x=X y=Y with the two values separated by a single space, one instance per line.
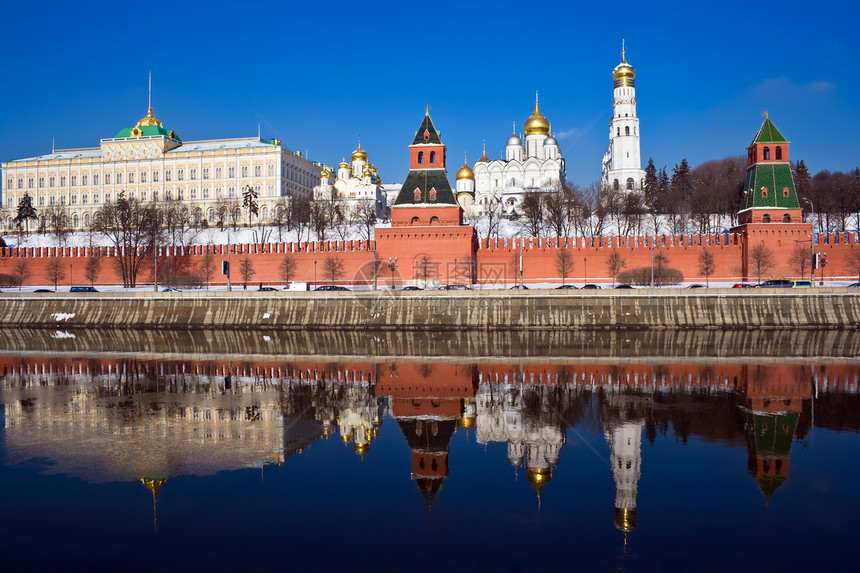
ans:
x=427 y=242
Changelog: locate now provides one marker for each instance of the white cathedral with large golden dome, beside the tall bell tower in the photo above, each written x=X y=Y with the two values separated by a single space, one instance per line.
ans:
x=532 y=162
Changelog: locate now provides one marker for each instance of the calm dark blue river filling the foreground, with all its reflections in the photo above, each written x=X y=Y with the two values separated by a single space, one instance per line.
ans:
x=377 y=451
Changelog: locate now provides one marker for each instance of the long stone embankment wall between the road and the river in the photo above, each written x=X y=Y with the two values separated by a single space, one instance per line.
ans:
x=832 y=308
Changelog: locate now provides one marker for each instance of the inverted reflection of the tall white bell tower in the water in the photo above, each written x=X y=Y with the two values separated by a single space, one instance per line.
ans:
x=623 y=419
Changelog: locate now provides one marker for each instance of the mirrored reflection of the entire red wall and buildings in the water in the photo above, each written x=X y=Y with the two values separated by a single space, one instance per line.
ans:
x=103 y=419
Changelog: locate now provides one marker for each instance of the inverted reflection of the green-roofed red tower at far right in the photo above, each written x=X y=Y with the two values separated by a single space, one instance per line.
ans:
x=771 y=407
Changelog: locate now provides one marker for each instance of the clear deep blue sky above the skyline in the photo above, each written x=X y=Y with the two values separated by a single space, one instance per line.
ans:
x=319 y=75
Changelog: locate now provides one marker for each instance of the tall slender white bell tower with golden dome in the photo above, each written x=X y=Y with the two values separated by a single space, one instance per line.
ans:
x=622 y=163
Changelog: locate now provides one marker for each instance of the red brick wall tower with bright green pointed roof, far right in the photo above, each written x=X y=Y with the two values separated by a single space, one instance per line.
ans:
x=770 y=212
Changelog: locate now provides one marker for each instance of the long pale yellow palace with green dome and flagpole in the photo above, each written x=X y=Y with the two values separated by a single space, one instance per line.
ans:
x=148 y=162
